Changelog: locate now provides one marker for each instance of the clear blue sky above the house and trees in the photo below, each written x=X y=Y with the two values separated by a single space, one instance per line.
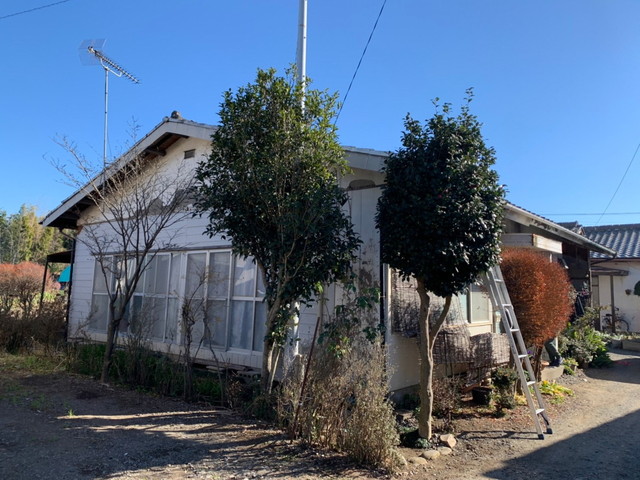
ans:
x=557 y=82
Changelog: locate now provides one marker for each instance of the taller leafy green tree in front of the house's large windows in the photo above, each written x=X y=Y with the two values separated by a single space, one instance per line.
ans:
x=270 y=184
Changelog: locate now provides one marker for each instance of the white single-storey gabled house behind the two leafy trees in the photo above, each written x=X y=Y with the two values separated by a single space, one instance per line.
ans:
x=233 y=298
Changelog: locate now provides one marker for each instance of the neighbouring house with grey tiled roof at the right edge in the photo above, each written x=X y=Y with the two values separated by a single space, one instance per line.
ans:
x=616 y=281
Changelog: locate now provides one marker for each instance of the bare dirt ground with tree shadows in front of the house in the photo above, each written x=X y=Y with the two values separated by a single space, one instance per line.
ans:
x=59 y=426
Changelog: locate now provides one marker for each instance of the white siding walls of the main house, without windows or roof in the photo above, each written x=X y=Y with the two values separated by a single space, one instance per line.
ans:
x=403 y=358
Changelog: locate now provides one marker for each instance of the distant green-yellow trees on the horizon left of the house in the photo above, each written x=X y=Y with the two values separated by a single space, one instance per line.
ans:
x=23 y=239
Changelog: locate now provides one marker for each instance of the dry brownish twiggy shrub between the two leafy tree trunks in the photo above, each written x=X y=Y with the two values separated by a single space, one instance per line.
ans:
x=345 y=402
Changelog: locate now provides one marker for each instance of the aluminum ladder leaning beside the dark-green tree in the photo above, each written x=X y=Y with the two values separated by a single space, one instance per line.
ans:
x=494 y=282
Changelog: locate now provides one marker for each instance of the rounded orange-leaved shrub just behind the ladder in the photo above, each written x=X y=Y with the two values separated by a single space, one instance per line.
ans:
x=540 y=292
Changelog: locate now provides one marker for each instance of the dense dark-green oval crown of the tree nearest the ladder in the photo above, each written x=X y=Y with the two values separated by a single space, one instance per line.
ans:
x=440 y=213
